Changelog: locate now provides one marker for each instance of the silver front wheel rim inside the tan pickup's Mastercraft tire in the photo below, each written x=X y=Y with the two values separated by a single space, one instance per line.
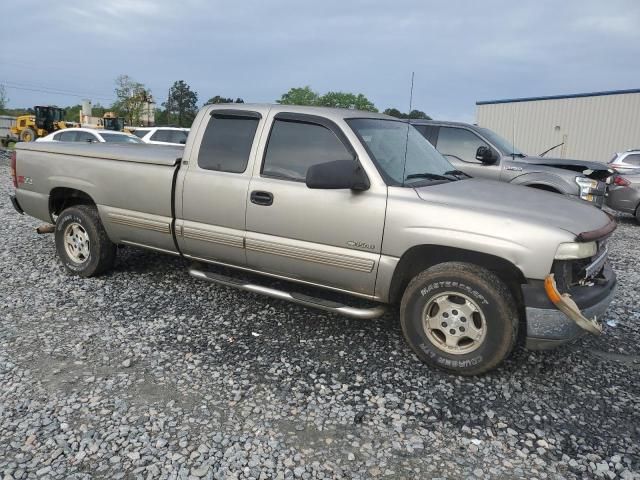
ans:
x=454 y=323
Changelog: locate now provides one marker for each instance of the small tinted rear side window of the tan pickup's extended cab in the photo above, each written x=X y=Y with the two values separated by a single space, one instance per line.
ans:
x=226 y=143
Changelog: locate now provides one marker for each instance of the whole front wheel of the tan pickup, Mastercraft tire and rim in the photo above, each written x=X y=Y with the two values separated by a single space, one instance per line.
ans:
x=459 y=317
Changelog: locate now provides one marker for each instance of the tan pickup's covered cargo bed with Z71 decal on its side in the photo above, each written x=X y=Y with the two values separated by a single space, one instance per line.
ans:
x=131 y=185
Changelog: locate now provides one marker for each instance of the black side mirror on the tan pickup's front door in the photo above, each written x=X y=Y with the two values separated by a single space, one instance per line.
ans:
x=339 y=174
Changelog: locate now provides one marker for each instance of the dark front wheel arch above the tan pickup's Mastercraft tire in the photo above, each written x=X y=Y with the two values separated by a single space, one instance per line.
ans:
x=421 y=257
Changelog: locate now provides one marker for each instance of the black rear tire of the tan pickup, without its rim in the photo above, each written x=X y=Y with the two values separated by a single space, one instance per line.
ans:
x=102 y=251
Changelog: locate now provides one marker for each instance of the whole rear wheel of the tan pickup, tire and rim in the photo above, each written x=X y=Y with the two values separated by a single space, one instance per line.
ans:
x=82 y=243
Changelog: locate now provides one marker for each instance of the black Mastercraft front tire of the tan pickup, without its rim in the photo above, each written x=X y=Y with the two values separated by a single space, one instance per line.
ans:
x=491 y=296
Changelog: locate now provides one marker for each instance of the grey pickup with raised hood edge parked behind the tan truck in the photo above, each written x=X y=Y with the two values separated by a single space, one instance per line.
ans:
x=480 y=152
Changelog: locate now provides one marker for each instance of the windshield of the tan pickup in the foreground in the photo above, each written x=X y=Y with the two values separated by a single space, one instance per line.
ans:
x=386 y=141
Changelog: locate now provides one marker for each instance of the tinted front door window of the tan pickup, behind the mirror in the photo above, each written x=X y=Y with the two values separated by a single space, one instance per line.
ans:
x=295 y=146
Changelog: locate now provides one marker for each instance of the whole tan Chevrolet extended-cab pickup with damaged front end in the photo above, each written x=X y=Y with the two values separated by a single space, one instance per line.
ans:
x=356 y=207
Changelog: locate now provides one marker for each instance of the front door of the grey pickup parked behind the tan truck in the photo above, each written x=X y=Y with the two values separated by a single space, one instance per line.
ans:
x=460 y=145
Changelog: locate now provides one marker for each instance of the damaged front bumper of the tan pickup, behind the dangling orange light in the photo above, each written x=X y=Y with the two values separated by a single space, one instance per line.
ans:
x=548 y=327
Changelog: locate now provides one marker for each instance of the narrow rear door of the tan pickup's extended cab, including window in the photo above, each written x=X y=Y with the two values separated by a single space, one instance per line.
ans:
x=211 y=205
